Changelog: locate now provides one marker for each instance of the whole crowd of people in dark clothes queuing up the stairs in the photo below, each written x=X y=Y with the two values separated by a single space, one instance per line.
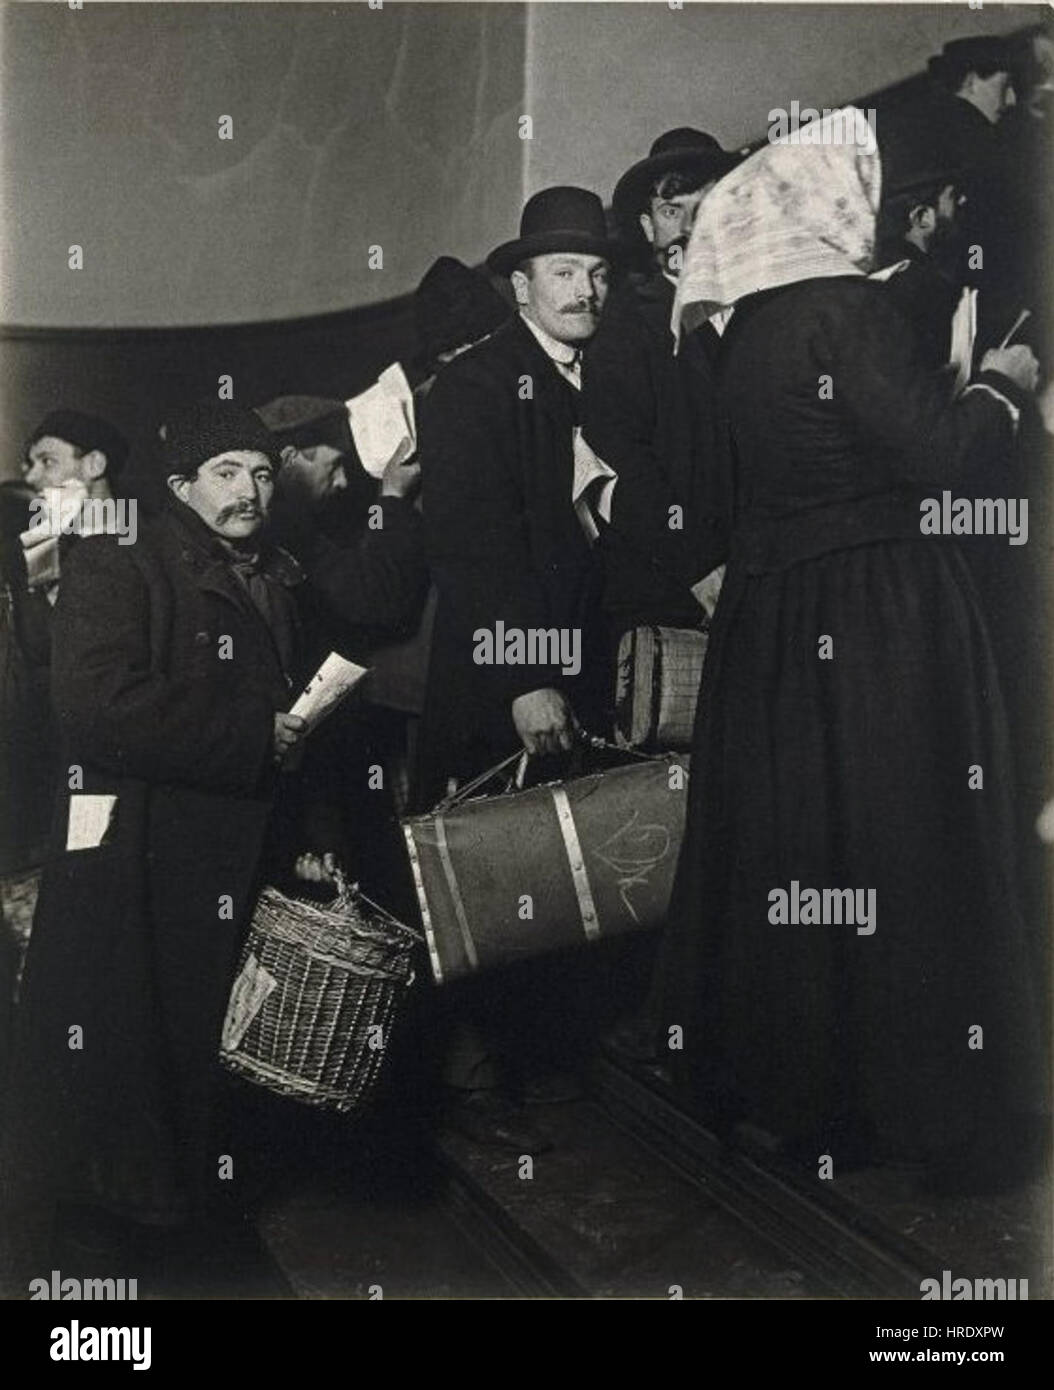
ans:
x=725 y=418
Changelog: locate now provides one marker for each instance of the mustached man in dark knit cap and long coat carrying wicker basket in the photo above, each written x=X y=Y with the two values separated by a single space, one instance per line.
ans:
x=176 y=662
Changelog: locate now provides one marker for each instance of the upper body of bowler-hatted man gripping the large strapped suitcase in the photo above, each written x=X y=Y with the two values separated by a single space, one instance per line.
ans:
x=504 y=540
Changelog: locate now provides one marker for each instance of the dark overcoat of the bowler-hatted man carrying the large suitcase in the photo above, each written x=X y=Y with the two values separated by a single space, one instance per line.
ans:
x=504 y=544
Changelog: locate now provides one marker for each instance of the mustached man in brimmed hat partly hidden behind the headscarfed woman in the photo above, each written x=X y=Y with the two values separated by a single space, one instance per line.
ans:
x=649 y=414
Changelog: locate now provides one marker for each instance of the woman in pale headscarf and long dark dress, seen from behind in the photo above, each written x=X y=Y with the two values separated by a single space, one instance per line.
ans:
x=850 y=732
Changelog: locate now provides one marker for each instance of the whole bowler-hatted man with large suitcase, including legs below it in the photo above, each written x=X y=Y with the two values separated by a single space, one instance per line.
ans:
x=507 y=546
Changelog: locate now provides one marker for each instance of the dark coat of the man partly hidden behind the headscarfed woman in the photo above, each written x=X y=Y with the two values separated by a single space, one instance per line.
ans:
x=650 y=415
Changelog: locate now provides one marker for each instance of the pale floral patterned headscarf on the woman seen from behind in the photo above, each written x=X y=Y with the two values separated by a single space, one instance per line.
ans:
x=802 y=208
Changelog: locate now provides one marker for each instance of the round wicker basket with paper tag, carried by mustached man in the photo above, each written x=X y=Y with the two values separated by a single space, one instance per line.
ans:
x=315 y=997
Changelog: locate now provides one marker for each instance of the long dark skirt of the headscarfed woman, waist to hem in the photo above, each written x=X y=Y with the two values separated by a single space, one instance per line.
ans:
x=852 y=735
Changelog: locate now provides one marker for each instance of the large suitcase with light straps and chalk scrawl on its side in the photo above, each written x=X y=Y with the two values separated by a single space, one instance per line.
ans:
x=525 y=874
